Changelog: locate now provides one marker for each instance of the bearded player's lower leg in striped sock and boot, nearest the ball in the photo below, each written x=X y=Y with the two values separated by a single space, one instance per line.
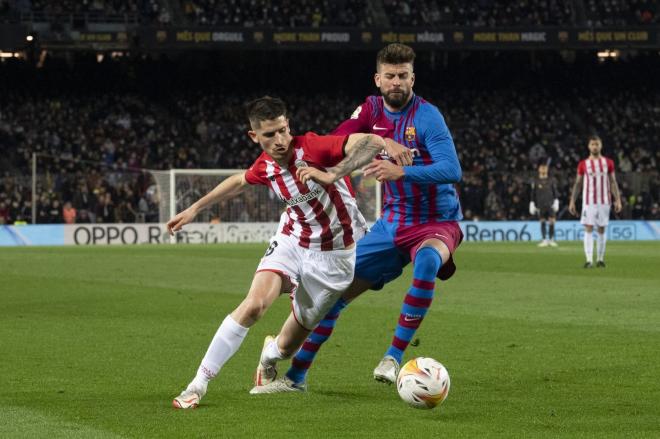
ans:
x=414 y=308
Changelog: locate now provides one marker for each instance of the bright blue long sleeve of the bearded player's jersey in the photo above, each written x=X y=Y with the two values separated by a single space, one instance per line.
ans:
x=433 y=133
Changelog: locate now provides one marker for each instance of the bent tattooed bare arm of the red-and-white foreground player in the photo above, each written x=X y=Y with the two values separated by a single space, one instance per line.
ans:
x=360 y=149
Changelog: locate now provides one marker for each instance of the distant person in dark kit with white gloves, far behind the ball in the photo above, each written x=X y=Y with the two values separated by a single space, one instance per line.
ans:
x=545 y=203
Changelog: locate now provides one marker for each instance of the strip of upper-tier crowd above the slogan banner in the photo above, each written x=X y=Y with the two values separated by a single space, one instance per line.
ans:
x=354 y=13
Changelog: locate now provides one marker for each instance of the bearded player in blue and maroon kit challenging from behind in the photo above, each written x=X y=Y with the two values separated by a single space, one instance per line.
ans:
x=421 y=210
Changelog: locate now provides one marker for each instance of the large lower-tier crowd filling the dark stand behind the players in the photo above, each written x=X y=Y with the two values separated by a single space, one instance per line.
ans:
x=94 y=146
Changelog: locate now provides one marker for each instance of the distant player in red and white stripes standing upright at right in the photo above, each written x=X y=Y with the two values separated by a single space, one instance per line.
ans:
x=598 y=180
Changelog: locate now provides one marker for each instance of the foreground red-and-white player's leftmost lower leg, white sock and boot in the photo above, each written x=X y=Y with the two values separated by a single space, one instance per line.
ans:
x=225 y=343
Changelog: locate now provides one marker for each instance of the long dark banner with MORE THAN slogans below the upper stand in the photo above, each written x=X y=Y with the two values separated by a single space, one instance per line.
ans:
x=454 y=38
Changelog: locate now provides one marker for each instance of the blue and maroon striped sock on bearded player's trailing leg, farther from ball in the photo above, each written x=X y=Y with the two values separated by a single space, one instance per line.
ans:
x=303 y=359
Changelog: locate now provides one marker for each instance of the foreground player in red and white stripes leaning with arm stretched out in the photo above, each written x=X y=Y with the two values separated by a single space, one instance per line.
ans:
x=312 y=256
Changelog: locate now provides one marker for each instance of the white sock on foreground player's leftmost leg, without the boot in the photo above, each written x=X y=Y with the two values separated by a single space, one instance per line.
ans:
x=224 y=345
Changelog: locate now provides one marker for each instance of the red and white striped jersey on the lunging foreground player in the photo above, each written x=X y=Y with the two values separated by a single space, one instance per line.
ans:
x=320 y=217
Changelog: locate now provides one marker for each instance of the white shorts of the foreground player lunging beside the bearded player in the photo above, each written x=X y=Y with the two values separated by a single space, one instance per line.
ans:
x=317 y=279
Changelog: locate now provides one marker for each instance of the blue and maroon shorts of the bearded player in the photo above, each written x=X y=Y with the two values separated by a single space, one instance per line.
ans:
x=388 y=248
